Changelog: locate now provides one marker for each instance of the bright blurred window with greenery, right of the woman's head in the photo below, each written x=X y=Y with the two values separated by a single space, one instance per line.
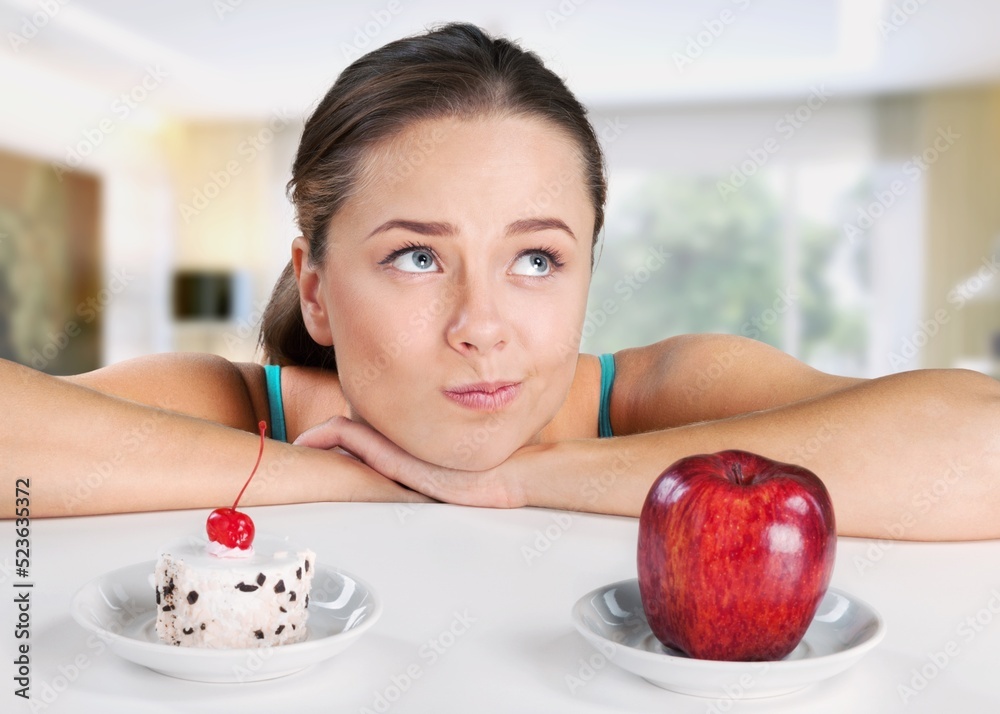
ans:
x=770 y=261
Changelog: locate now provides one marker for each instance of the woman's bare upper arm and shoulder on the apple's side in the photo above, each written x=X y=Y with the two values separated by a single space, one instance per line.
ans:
x=692 y=378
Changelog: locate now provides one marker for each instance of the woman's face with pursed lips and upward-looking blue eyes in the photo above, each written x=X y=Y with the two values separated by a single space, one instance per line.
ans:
x=455 y=284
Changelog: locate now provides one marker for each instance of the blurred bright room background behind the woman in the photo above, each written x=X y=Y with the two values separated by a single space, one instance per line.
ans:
x=823 y=176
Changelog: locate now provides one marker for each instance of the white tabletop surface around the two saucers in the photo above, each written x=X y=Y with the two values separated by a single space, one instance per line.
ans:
x=505 y=581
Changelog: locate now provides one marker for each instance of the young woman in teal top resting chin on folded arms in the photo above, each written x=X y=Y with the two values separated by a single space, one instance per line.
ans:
x=449 y=190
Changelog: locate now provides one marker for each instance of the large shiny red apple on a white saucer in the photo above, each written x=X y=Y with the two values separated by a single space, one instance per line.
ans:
x=735 y=554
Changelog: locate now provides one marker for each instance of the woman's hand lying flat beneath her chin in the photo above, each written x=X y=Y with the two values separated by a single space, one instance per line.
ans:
x=495 y=488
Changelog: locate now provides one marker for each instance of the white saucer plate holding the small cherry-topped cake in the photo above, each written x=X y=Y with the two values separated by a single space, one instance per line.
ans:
x=120 y=607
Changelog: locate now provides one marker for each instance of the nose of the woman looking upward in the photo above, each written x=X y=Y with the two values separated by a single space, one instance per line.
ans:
x=476 y=324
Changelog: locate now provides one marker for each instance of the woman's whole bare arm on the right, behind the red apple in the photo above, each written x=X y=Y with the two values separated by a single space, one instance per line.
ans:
x=913 y=455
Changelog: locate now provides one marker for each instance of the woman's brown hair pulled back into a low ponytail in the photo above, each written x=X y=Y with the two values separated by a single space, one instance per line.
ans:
x=456 y=70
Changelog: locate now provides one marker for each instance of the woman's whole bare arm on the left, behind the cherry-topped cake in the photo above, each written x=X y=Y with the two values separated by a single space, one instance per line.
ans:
x=86 y=451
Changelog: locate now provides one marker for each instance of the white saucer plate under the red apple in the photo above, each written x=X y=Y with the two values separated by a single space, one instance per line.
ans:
x=843 y=630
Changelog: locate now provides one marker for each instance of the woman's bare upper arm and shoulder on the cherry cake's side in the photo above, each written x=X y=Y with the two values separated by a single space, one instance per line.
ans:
x=201 y=385
